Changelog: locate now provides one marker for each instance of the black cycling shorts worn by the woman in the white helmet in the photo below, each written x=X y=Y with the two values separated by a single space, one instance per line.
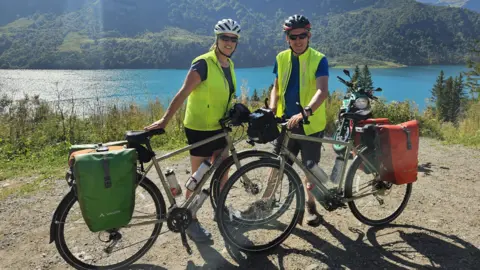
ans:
x=205 y=150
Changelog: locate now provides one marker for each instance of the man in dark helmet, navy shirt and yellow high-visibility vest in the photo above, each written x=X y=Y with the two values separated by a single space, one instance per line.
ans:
x=301 y=76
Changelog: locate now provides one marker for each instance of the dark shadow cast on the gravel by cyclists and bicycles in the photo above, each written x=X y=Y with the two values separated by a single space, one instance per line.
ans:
x=388 y=247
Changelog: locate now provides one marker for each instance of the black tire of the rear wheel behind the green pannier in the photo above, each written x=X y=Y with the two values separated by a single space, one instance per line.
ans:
x=70 y=199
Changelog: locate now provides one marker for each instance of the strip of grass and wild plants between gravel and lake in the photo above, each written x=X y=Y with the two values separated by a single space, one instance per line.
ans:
x=35 y=135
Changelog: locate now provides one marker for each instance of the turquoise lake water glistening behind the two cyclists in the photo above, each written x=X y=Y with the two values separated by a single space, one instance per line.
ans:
x=398 y=84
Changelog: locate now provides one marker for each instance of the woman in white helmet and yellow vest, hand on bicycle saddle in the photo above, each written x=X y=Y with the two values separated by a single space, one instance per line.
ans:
x=209 y=86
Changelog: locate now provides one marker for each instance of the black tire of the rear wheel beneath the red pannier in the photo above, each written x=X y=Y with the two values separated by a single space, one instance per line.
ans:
x=353 y=207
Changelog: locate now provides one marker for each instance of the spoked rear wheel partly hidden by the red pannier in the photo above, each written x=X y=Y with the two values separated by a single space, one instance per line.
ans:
x=375 y=202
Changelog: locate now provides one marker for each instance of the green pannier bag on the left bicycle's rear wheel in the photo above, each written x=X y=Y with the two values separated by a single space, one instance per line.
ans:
x=106 y=182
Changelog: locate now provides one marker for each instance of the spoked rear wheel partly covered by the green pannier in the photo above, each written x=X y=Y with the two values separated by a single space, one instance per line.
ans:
x=113 y=249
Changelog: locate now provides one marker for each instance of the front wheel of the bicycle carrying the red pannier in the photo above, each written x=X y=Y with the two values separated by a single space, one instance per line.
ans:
x=256 y=223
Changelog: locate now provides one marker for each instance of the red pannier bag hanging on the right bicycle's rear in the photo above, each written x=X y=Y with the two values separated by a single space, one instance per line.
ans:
x=397 y=152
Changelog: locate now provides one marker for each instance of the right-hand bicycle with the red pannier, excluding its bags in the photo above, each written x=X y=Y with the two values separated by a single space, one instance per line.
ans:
x=346 y=189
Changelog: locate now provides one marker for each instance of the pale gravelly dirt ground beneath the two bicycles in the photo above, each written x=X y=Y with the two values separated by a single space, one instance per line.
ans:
x=439 y=229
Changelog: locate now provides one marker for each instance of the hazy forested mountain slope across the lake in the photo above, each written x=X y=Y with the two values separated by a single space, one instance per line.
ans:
x=170 y=33
